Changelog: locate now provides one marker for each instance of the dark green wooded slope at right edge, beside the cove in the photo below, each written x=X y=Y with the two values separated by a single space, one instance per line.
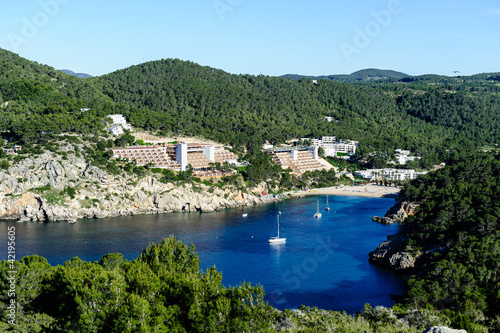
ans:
x=457 y=228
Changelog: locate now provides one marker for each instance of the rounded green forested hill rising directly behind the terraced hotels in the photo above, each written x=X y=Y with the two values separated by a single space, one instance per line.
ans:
x=184 y=97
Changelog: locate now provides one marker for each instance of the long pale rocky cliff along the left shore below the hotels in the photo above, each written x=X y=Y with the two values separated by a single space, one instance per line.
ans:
x=25 y=193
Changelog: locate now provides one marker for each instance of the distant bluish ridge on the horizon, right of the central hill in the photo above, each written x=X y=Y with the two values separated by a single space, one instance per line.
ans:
x=370 y=74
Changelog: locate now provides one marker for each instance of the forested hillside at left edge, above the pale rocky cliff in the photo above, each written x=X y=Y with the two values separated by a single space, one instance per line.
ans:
x=38 y=102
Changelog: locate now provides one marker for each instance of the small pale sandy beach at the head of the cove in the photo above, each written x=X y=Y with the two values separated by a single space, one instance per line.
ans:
x=374 y=191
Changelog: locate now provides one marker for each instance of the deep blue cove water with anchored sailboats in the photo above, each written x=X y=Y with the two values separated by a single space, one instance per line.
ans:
x=324 y=262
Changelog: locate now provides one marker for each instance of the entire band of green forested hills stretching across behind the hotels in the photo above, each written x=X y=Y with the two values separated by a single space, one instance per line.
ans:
x=183 y=98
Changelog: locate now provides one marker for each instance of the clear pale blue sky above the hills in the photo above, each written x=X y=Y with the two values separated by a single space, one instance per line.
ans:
x=257 y=36
